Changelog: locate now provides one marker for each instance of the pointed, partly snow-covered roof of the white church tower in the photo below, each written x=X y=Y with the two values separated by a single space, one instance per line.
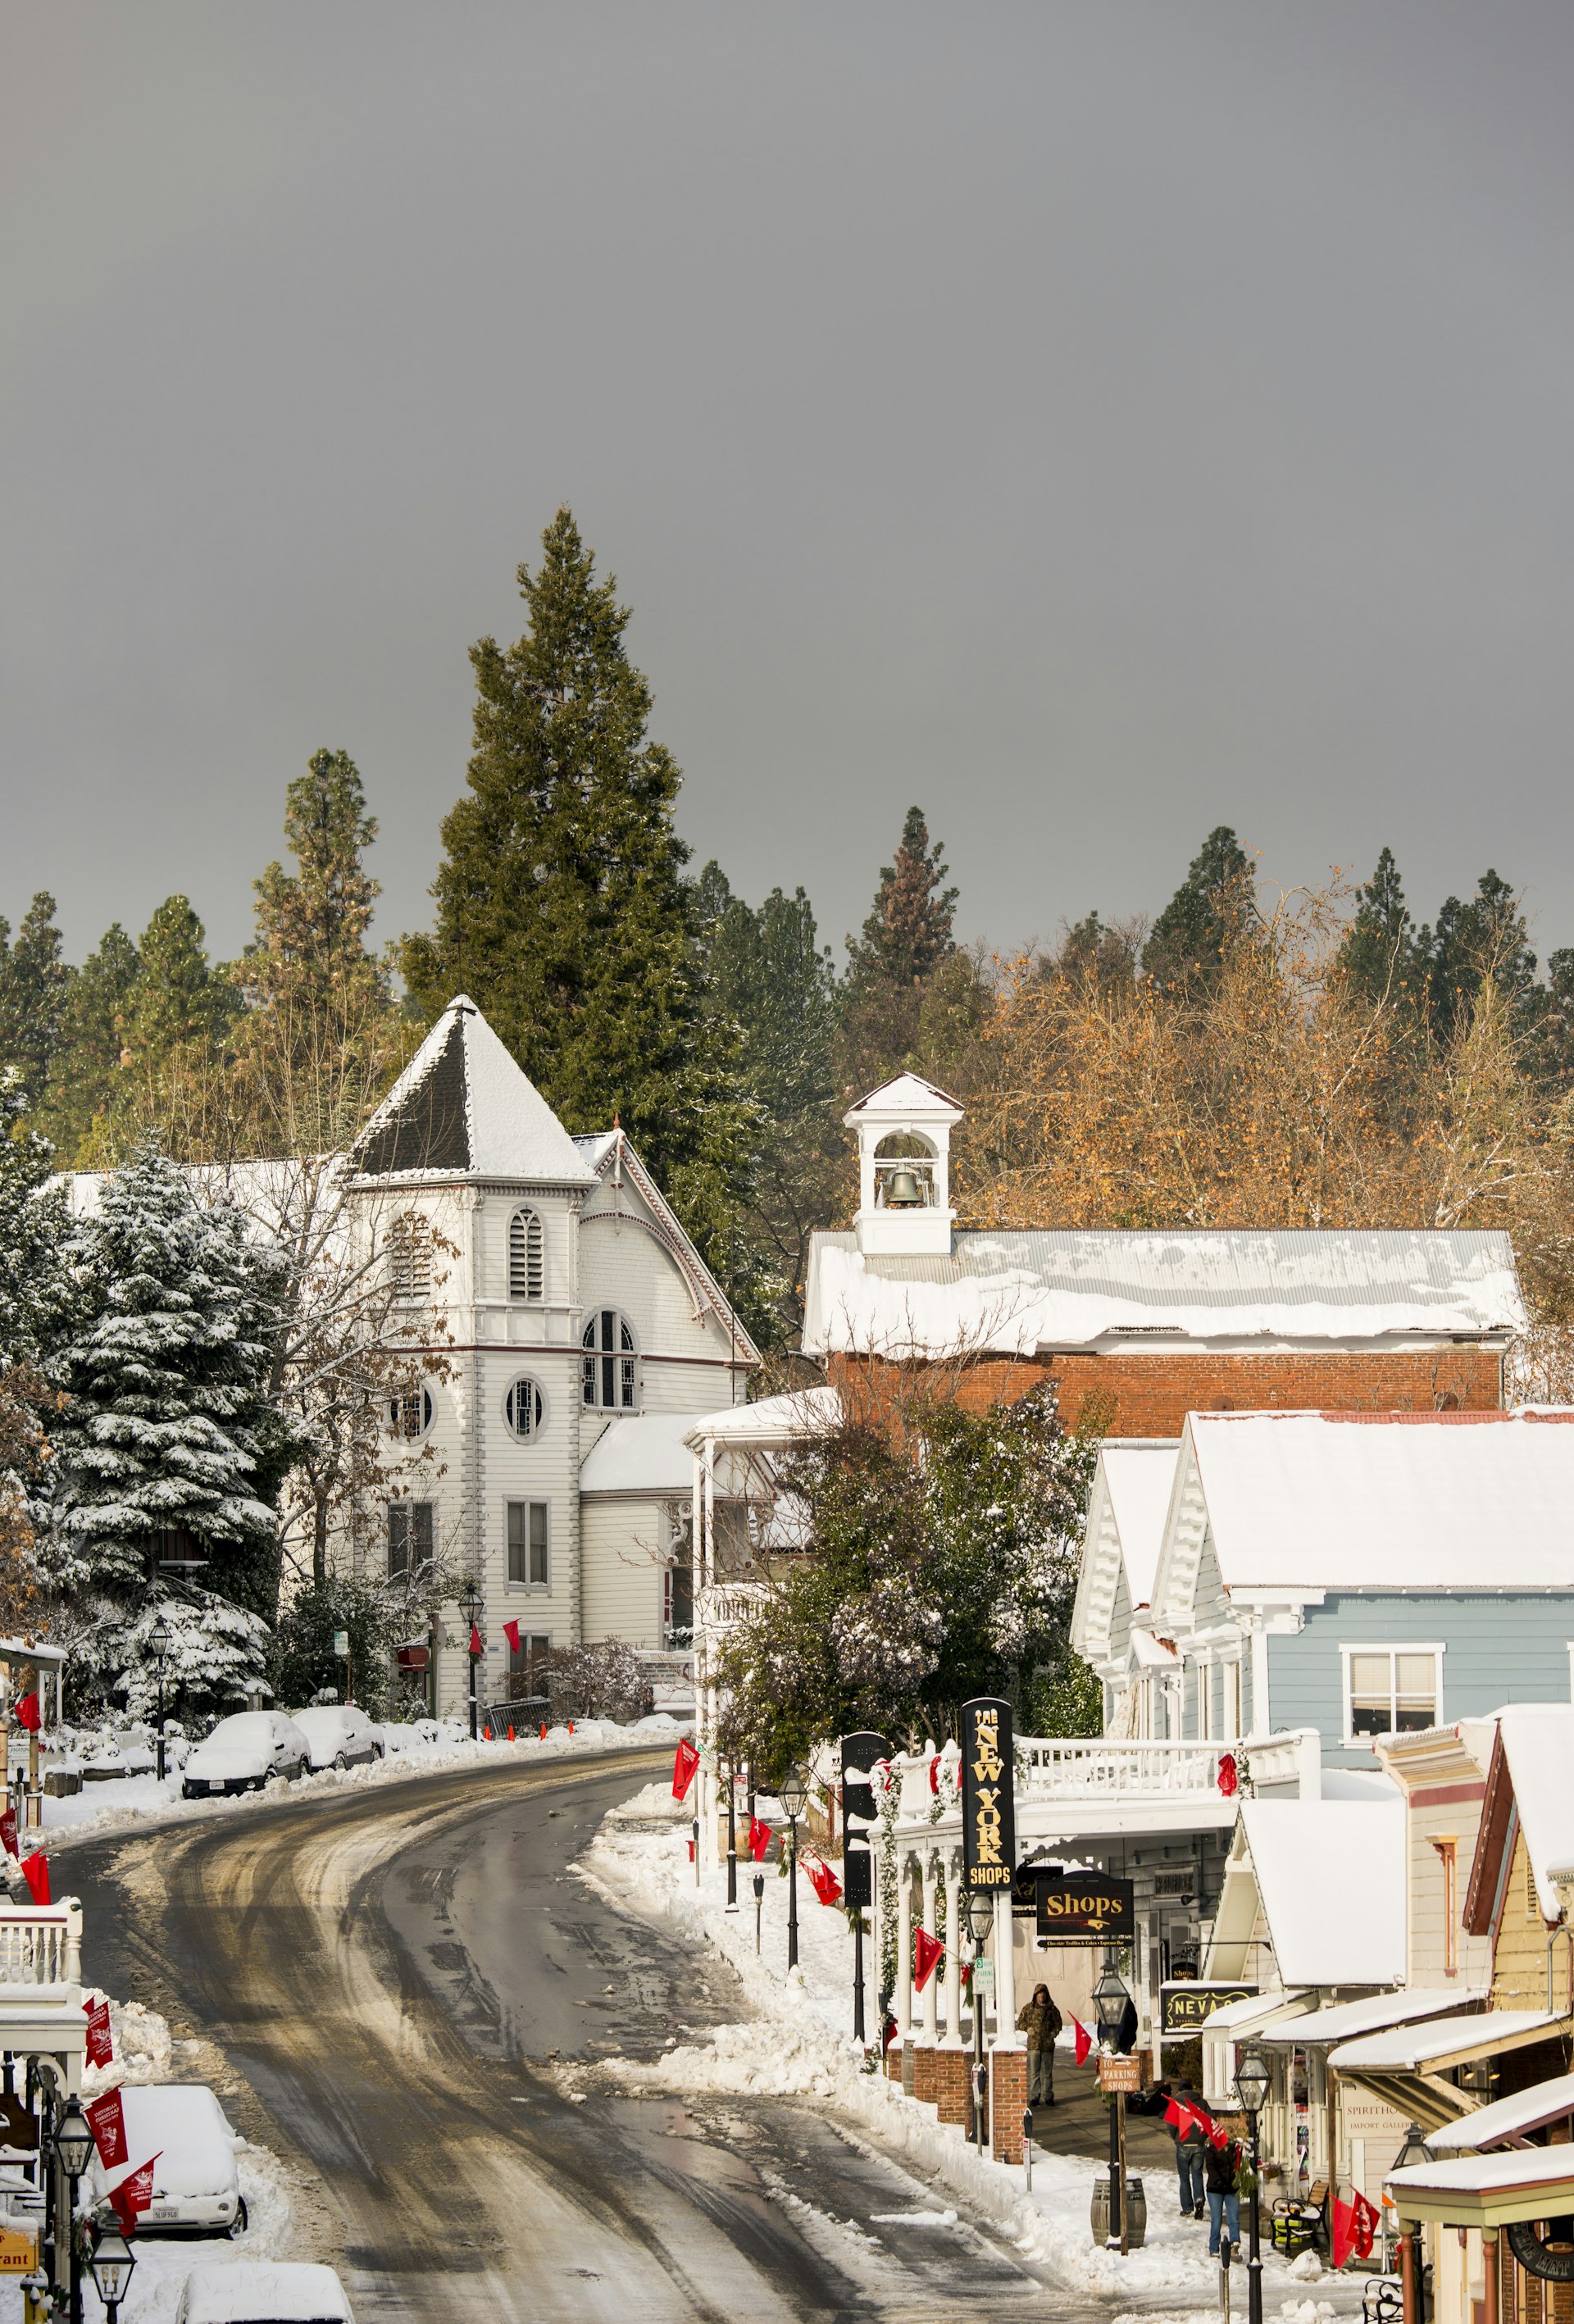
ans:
x=464 y=1110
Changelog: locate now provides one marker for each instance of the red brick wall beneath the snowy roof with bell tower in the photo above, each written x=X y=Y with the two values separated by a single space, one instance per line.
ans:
x=1154 y=1391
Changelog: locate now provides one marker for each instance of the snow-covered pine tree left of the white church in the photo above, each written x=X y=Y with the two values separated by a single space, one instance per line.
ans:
x=169 y=1426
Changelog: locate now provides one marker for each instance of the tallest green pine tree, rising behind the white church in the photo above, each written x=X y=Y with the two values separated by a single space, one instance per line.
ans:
x=561 y=901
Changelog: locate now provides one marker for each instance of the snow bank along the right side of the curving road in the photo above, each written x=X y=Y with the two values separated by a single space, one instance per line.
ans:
x=641 y=1863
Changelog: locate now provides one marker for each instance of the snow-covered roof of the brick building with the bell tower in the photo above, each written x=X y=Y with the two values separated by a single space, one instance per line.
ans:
x=1019 y=1291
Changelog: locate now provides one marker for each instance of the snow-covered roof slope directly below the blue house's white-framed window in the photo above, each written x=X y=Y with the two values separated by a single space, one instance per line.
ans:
x=1310 y=1858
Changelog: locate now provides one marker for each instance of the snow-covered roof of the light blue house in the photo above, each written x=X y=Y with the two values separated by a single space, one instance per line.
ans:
x=1371 y=1502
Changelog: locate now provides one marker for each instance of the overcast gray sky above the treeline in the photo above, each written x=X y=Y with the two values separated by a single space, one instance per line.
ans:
x=1089 y=422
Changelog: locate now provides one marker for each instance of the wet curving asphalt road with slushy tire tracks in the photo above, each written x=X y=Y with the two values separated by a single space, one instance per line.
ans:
x=392 y=1974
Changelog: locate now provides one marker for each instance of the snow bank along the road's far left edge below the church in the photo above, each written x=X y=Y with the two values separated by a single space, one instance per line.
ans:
x=131 y=1800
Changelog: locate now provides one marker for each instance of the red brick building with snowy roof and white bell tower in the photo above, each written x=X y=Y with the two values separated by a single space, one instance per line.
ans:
x=1150 y=1324
